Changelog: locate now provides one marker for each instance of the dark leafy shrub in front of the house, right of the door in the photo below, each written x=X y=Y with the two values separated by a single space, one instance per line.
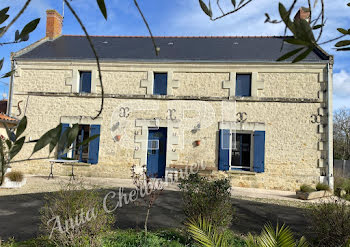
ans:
x=208 y=199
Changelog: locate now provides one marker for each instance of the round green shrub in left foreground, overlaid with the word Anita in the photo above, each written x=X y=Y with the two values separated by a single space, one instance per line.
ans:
x=74 y=216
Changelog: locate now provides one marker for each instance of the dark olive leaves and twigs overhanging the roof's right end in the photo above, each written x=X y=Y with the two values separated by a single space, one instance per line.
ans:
x=306 y=34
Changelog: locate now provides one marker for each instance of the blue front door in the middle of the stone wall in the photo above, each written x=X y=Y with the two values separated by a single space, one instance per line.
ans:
x=156 y=153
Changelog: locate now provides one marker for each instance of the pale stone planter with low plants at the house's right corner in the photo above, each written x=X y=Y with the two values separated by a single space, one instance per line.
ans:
x=306 y=192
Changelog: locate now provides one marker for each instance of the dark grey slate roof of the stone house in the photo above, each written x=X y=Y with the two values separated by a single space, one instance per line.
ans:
x=140 y=48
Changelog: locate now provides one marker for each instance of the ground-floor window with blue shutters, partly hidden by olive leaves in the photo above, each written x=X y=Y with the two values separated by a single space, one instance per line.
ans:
x=87 y=153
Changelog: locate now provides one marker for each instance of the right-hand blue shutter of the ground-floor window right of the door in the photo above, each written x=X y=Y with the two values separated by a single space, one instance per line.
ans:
x=259 y=151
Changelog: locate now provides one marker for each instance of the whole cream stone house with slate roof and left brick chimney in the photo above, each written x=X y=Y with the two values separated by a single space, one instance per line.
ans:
x=221 y=101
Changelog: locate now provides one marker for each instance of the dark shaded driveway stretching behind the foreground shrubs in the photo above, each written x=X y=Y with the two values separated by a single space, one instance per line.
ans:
x=20 y=215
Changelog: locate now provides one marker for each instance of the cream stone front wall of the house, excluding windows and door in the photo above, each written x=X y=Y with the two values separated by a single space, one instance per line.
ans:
x=289 y=101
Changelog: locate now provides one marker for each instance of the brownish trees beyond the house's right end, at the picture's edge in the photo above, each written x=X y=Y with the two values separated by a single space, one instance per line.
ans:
x=341 y=137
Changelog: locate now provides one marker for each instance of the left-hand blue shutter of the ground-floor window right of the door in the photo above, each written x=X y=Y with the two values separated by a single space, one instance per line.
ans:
x=224 y=150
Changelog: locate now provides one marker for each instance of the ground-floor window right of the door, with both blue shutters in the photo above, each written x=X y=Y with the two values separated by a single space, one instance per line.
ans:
x=243 y=151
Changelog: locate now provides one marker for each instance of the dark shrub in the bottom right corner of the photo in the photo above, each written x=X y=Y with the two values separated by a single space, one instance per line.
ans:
x=330 y=223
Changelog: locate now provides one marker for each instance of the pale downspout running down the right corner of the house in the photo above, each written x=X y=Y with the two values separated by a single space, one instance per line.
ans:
x=330 y=176
